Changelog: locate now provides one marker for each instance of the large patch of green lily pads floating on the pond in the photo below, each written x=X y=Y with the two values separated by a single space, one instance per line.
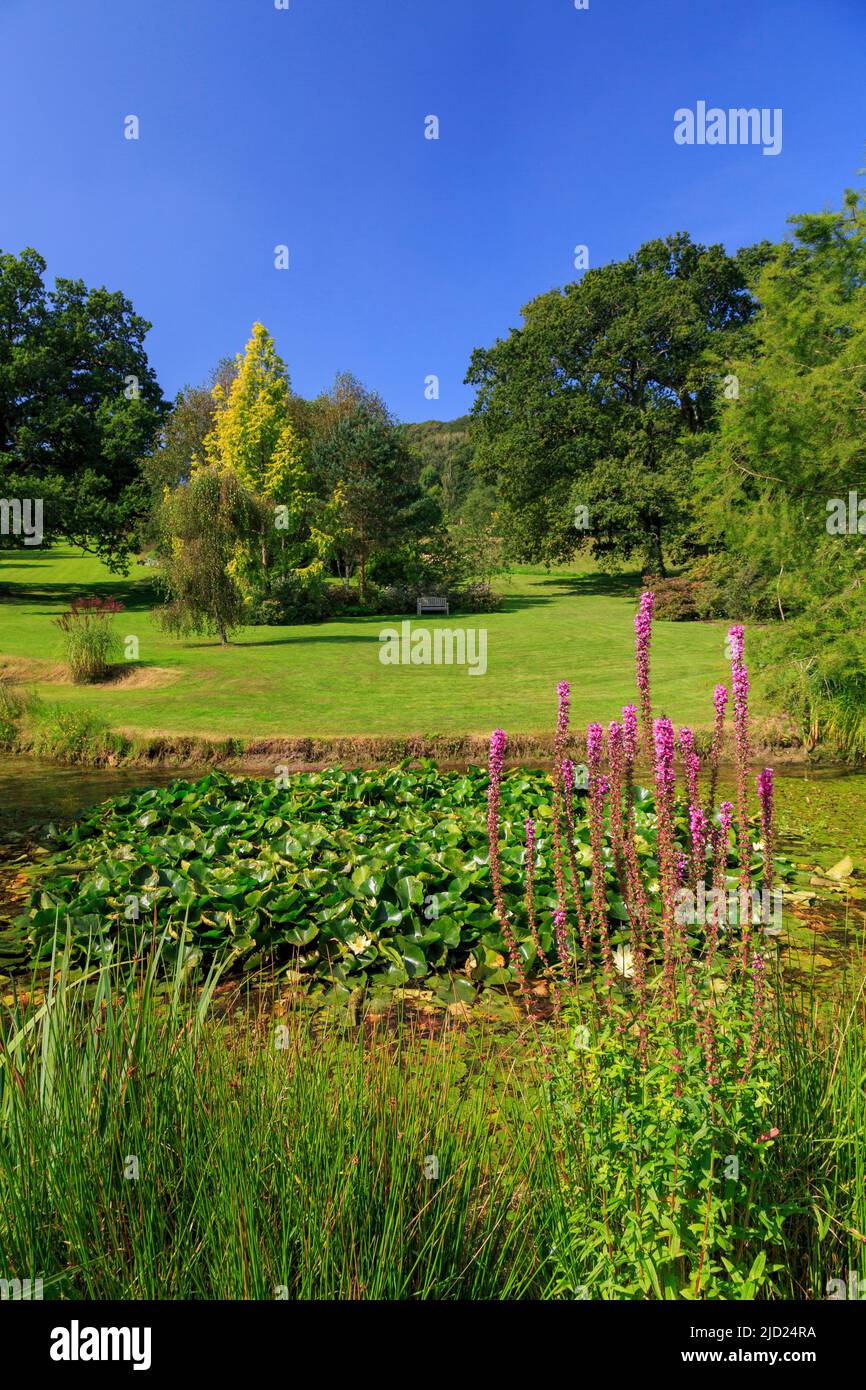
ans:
x=359 y=874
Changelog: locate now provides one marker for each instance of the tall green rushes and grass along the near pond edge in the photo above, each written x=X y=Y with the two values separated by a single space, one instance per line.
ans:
x=281 y=1157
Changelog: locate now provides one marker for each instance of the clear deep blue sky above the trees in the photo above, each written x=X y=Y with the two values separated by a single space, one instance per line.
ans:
x=307 y=127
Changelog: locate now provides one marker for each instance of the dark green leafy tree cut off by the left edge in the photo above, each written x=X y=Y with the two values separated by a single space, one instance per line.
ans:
x=80 y=405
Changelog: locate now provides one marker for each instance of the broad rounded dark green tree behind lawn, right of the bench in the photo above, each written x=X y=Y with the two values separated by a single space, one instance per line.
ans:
x=604 y=397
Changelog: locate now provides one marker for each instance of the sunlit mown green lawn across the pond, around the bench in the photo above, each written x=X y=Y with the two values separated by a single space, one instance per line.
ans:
x=327 y=679
